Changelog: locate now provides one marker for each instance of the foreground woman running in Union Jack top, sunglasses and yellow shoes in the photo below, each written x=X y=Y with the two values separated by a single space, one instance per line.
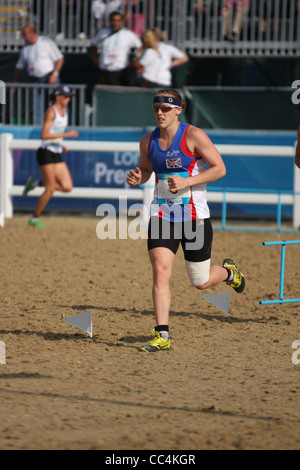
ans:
x=177 y=153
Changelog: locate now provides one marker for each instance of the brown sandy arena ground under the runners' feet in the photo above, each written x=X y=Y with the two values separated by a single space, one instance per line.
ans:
x=225 y=384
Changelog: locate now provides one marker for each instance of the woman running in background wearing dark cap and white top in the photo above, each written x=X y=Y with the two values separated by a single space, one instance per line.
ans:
x=54 y=171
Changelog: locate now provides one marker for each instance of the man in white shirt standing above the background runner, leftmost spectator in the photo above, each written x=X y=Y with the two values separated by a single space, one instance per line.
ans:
x=43 y=60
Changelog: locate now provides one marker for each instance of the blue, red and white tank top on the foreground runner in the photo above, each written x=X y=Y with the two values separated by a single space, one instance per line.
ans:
x=186 y=204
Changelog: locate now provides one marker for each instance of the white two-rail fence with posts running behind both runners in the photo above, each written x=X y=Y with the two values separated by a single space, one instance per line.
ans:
x=8 y=189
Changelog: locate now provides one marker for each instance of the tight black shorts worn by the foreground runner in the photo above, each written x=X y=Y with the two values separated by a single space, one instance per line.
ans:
x=195 y=237
